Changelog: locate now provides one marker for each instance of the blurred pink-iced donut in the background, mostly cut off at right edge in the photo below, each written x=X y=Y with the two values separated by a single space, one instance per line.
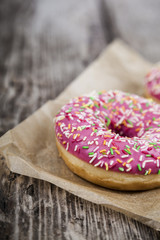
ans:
x=152 y=84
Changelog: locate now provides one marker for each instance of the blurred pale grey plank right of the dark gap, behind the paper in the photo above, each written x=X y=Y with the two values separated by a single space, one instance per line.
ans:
x=137 y=23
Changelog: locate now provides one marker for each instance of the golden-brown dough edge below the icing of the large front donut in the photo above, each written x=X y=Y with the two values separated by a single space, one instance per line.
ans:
x=108 y=179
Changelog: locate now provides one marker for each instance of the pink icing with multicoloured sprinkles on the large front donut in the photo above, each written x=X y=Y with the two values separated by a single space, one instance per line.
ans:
x=112 y=130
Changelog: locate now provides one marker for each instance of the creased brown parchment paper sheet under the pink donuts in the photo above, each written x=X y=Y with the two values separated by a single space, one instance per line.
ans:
x=30 y=147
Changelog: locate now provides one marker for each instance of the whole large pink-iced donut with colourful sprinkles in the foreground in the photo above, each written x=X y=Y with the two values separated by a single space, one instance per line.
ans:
x=111 y=139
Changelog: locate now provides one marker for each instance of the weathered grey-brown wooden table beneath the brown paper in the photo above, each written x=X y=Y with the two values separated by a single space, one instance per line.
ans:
x=44 y=45
